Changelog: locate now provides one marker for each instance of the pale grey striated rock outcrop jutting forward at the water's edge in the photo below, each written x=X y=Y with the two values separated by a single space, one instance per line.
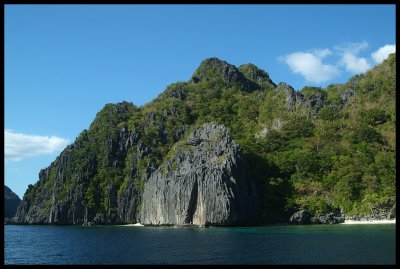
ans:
x=203 y=183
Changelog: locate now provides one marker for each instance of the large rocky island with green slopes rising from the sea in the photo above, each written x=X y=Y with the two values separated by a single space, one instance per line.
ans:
x=229 y=147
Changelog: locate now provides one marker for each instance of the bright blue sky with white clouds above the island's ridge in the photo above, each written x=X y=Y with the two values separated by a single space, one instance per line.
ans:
x=63 y=63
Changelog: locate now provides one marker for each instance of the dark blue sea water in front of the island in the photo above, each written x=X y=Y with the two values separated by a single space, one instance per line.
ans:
x=314 y=244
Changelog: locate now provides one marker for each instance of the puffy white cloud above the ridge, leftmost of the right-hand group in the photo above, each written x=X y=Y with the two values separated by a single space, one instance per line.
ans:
x=309 y=65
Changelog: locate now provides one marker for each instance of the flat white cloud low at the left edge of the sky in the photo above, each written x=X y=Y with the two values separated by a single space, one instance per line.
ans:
x=18 y=146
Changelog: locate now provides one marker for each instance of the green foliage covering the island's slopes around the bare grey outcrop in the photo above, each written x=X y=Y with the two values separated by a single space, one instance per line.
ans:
x=317 y=157
